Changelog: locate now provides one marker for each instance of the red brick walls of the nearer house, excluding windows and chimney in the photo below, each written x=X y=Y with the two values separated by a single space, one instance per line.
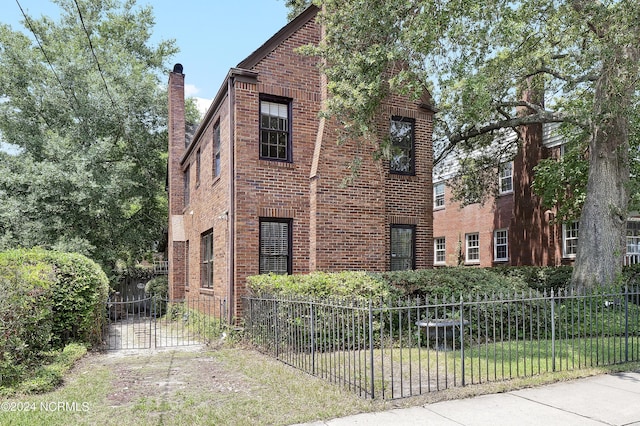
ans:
x=334 y=227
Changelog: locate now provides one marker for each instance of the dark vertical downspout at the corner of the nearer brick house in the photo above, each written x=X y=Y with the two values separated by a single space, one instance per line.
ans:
x=232 y=191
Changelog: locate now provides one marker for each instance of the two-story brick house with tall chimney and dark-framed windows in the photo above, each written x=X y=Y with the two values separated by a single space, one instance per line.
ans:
x=259 y=189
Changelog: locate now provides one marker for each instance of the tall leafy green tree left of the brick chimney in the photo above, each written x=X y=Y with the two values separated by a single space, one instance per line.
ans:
x=82 y=99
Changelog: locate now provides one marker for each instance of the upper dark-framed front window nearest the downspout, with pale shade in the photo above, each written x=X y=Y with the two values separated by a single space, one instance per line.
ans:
x=275 y=129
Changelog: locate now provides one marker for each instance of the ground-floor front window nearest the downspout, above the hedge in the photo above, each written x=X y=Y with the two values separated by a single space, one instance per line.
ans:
x=275 y=246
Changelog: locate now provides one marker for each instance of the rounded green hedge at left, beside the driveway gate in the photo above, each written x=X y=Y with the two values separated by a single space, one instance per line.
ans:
x=49 y=299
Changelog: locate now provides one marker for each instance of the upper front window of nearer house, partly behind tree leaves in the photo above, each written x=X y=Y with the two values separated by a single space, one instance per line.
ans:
x=402 y=136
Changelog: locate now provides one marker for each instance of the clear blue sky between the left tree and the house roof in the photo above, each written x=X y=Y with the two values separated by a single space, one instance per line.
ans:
x=213 y=35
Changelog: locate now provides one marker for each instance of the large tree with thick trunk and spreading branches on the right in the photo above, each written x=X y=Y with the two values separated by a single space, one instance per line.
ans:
x=475 y=57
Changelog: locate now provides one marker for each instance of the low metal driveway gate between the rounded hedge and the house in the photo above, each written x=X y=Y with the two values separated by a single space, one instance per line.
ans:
x=151 y=322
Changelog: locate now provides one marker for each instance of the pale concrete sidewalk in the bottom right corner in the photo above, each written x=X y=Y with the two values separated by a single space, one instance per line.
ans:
x=612 y=399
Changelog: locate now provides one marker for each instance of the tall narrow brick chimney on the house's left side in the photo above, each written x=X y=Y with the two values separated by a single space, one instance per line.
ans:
x=177 y=246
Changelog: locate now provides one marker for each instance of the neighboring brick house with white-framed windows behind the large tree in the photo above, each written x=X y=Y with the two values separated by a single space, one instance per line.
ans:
x=512 y=228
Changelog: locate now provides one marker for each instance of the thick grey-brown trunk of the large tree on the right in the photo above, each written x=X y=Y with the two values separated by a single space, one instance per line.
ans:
x=602 y=229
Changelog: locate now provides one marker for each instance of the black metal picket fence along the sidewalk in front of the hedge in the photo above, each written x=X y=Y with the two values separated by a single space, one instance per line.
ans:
x=393 y=350
